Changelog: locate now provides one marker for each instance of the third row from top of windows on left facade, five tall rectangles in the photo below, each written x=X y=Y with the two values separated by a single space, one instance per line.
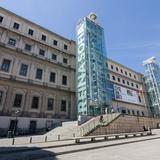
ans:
x=6 y=63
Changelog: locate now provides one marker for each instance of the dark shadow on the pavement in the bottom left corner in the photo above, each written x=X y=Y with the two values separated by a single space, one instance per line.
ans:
x=25 y=153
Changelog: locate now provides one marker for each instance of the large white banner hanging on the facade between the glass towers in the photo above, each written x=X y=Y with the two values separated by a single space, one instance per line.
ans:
x=125 y=94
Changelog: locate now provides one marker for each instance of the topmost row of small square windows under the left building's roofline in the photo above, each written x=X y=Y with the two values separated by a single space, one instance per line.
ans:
x=31 y=33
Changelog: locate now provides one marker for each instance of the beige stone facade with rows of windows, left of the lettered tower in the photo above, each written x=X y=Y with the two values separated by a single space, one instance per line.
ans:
x=37 y=71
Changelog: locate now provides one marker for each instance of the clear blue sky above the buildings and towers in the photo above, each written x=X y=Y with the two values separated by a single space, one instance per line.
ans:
x=132 y=27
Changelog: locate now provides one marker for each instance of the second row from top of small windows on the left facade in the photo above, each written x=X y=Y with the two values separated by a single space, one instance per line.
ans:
x=28 y=48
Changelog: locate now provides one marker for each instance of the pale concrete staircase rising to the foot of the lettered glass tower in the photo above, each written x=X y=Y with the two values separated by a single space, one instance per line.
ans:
x=71 y=129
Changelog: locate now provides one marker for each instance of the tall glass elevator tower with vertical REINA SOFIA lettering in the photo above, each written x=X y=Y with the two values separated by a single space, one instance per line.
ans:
x=93 y=96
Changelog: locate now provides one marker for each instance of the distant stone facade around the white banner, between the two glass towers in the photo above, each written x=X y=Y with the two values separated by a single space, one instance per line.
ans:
x=128 y=79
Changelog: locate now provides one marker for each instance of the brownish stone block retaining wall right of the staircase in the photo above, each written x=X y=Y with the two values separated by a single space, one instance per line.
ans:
x=126 y=123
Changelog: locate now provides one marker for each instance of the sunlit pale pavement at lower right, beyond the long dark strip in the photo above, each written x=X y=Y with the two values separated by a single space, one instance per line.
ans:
x=147 y=150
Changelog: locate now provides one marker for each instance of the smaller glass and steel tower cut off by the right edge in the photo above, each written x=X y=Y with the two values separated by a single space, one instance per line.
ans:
x=152 y=84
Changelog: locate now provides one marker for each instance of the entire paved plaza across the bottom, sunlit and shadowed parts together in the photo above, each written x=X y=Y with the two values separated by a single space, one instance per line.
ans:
x=139 y=148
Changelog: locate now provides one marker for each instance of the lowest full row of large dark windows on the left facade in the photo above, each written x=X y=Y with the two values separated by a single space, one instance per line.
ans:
x=35 y=102
